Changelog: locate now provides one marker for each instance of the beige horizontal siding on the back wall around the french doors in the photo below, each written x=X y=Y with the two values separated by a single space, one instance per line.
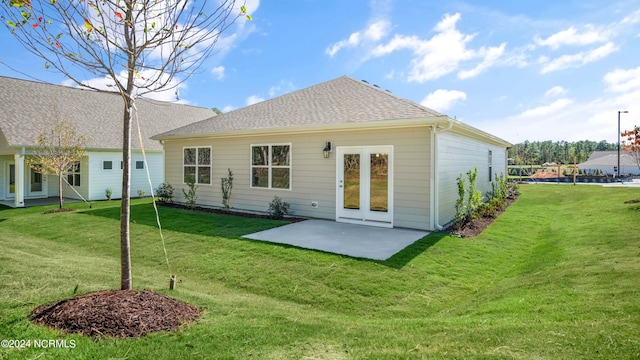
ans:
x=313 y=177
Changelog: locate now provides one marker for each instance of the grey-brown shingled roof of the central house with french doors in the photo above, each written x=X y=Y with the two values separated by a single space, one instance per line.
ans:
x=340 y=101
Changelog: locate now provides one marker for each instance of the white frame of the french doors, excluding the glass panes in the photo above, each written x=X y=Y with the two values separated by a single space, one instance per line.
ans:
x=364 y=215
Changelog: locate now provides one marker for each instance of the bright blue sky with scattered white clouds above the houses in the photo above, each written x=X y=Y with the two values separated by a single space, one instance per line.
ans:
x=522 y=70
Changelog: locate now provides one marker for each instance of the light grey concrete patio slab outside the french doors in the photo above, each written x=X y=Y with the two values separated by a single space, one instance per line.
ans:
x=357 y=241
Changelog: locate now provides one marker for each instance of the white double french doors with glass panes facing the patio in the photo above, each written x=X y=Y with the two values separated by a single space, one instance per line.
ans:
x=365 y=185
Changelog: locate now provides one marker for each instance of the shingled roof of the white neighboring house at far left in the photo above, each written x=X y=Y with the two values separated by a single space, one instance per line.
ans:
x=28 y=107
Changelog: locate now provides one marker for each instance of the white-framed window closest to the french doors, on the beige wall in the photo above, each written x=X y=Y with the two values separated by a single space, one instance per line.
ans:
x=271 y=166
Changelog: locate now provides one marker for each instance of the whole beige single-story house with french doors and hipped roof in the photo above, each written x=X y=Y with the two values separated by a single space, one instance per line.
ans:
x=342 y=150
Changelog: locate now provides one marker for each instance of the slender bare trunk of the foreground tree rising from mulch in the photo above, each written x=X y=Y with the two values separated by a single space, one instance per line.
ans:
x=125 y=254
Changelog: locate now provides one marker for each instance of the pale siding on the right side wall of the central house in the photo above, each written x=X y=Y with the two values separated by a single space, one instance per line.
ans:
x=457 y=155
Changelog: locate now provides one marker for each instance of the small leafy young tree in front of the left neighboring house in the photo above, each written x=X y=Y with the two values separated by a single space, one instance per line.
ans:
x=59 y=149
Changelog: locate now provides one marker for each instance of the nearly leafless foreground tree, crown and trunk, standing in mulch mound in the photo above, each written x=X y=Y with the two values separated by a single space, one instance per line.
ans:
x=140 y=46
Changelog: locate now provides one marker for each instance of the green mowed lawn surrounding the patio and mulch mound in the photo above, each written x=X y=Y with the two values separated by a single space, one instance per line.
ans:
x=557 y=276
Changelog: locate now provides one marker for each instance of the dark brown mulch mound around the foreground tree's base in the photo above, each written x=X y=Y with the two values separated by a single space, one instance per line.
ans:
x=117 y=313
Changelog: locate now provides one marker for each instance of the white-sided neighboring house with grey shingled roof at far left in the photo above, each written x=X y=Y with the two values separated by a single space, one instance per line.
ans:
x=27 y=109
